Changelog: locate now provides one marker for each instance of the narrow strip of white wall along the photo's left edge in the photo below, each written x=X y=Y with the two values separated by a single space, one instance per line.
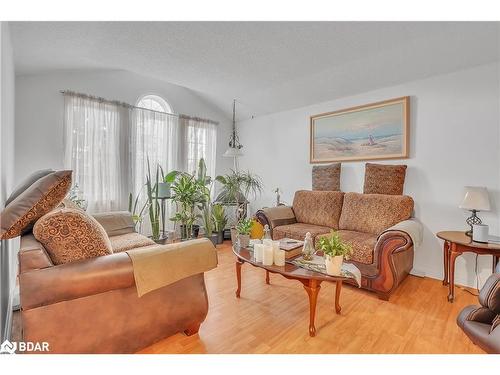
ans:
x=8 y=248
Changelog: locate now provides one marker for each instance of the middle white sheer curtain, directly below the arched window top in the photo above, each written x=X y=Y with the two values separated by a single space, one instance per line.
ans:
x=154 y=136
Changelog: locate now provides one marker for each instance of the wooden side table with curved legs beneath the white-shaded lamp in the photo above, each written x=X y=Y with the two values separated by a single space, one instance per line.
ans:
x=456 y=243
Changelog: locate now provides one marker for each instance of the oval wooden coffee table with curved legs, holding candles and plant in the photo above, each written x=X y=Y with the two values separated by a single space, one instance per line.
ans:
x=311 y=280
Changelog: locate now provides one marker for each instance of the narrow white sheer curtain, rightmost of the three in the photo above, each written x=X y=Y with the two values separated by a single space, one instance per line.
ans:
x=200 y=141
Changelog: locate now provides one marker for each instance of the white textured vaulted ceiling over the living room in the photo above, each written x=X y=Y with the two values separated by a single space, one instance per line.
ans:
x=267 y=67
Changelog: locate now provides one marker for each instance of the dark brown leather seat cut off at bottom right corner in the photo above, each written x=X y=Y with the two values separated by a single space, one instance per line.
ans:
x=482 y=323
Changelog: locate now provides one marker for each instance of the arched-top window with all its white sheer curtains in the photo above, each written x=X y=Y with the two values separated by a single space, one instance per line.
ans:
x=108 y=145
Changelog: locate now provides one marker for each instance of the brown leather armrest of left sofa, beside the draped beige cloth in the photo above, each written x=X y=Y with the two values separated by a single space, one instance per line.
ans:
x=75 y=280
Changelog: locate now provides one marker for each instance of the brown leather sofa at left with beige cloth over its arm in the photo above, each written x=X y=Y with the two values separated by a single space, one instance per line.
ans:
x=92 y=305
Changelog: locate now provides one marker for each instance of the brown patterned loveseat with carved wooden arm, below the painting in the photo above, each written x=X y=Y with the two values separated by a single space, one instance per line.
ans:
x=383 y=254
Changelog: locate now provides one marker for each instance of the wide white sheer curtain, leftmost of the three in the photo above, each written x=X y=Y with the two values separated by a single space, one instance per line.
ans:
x=93 y=150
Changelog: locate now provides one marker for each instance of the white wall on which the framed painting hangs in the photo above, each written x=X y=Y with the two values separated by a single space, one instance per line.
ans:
x=455 y=141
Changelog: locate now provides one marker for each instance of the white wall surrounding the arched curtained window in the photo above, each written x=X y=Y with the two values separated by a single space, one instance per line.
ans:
x=39 y=111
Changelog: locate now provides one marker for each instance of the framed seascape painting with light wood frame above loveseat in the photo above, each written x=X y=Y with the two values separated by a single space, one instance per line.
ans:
x=368 y=132
